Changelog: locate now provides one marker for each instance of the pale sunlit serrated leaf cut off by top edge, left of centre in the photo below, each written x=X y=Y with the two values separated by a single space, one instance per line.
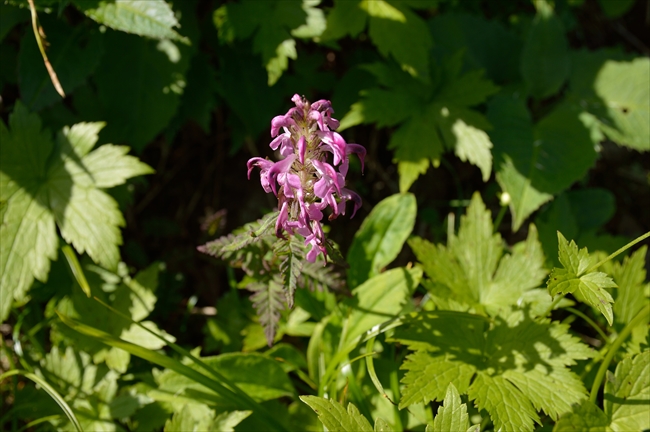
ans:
x=153 y=18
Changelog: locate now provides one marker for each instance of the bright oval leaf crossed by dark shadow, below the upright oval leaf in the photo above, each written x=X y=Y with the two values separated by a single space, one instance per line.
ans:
x=379 y=299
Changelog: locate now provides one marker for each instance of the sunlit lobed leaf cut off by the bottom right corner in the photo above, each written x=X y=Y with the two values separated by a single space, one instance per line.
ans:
x=626 y=401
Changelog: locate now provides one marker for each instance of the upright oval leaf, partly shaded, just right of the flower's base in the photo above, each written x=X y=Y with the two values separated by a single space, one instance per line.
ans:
x=381 y=237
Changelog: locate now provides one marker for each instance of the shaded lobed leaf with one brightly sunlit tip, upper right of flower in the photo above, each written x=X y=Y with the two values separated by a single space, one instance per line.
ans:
x=432 y=118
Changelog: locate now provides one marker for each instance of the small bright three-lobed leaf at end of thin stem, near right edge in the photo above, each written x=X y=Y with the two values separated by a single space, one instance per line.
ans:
x=590 y=287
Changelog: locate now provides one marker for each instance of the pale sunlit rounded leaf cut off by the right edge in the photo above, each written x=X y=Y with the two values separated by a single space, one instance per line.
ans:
x=625 y=90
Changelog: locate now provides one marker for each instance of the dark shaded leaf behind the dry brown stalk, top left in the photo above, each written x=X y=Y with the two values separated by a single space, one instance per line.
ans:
x=73 y=54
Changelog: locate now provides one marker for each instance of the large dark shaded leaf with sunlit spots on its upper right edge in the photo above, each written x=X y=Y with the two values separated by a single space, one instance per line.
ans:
x=139 y=86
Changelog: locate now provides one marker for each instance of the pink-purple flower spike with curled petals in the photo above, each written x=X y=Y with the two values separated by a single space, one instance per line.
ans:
x=304 y=183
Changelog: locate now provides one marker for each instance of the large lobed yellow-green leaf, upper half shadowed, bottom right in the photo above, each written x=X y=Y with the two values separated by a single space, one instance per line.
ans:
x=512 y=369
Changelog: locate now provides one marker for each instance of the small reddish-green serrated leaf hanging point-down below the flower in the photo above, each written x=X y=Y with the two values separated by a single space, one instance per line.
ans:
x=268 y=301
